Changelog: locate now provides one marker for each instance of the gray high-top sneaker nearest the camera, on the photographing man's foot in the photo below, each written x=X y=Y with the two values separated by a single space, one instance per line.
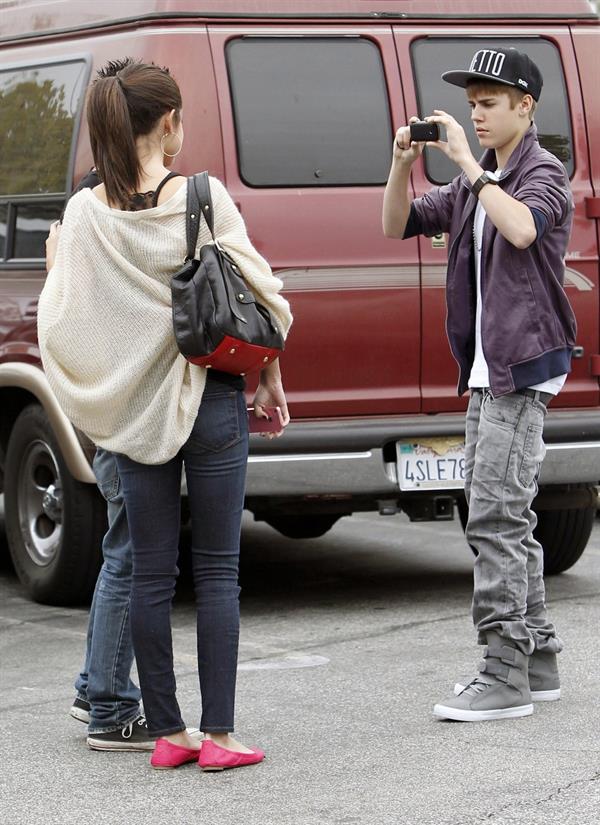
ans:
x=501 y=691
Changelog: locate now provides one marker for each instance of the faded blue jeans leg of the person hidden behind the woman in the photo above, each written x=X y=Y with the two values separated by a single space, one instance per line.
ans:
x=105 y=680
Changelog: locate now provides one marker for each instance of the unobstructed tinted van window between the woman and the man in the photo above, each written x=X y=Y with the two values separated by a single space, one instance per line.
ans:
x=310 y=111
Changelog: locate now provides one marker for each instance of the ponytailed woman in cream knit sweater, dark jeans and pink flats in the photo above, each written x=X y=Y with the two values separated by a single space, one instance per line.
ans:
x=109 y=352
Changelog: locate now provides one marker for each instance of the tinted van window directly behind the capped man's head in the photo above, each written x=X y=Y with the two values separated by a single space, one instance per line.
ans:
x=431 y=56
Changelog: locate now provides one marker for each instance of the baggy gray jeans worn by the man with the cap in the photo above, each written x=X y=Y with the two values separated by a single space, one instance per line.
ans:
x=503 y=453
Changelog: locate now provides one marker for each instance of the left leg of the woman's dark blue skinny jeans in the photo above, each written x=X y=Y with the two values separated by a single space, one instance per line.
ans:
x=153 y=496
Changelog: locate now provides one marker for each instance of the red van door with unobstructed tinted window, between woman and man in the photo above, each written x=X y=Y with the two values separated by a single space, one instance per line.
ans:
x=307 y=120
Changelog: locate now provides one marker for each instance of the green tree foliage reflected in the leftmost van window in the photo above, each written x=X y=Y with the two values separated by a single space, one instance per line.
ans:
x=35 y=137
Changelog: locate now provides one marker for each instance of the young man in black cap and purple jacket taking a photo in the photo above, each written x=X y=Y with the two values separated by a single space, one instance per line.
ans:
x=512 y=331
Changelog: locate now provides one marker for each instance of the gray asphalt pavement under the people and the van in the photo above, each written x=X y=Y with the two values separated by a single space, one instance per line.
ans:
x=347 y=642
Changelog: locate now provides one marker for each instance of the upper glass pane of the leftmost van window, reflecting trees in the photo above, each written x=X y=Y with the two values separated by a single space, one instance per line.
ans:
x=38 y=112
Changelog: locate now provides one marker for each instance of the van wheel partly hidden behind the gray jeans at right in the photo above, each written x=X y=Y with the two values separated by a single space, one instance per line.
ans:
x=563 y=533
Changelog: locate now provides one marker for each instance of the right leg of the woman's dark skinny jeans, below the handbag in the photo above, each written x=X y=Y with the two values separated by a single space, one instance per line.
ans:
x=216 y=457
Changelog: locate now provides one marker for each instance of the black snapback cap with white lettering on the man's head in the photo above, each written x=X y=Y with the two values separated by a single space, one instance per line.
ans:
x=507 y=66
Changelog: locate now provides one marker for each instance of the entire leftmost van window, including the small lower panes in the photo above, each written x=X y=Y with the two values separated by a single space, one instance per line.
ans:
x=39 y=112
